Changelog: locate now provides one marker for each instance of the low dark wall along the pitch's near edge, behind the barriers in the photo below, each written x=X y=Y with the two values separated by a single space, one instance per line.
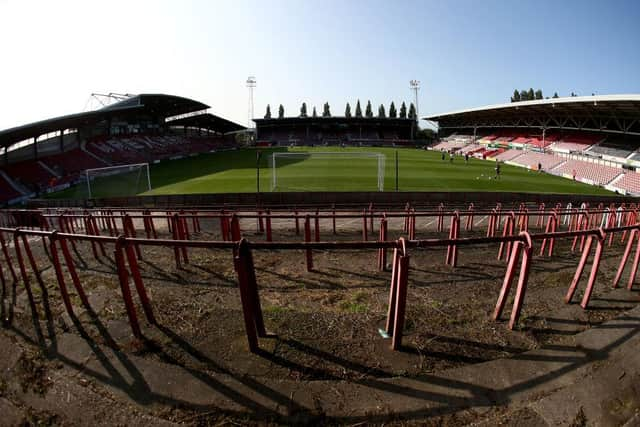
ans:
x=328 y=198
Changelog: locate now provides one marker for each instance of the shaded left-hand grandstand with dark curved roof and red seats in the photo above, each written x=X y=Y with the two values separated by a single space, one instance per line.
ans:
x=51 y=154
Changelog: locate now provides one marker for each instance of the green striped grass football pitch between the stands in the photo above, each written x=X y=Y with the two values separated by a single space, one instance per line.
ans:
x=418 y=170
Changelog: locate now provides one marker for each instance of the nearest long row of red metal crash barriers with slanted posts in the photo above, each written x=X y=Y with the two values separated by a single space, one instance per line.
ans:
x=127 y=251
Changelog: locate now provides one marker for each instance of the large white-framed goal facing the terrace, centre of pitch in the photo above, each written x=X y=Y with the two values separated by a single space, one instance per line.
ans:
x=327 y=171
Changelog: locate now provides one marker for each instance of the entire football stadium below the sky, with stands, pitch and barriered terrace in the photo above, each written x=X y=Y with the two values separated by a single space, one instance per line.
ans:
x=332 y=269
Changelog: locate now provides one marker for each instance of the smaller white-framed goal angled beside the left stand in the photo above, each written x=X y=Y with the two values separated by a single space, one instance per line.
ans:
x=118 y=181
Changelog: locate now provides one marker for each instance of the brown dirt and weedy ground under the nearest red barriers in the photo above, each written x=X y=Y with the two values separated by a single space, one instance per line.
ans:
x=326 y=322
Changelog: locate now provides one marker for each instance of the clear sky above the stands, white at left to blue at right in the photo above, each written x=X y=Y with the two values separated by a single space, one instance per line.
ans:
x=465 y=53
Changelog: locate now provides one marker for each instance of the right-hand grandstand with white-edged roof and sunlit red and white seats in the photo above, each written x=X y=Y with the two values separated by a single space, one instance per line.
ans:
x=594 y=139
